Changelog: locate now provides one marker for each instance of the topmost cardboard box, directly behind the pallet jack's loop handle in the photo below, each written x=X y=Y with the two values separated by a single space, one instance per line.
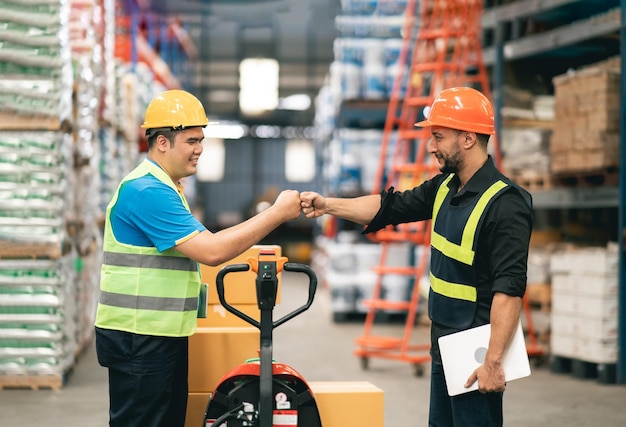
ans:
x=239 y=287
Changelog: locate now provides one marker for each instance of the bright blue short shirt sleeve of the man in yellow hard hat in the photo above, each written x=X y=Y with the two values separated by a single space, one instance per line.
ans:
x=150 y=213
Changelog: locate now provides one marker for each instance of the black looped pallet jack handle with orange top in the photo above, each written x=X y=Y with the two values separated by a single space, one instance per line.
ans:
x=266 y=297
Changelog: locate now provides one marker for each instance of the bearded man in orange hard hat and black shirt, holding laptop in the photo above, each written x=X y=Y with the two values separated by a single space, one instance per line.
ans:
x=479 y=246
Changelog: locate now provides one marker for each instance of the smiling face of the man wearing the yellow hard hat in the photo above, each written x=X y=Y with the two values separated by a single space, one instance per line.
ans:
x=179 y=158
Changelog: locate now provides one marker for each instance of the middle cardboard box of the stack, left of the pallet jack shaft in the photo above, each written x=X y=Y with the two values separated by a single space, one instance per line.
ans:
x=213 y=351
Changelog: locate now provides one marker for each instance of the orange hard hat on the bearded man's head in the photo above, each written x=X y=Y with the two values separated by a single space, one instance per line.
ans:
x=461 y=108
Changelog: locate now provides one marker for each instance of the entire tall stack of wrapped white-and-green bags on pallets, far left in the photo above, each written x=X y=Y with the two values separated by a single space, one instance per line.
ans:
x=50 y=106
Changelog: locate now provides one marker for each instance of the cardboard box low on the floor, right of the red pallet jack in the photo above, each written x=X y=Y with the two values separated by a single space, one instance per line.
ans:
x=349 y=403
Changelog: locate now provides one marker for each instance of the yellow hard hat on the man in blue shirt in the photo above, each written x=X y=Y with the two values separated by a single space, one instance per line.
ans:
x=176 y=109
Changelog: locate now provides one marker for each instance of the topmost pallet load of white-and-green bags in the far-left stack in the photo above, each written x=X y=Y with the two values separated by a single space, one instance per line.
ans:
x=35 y=61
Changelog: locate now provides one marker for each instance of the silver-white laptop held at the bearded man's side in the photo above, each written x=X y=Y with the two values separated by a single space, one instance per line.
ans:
x=463 y=352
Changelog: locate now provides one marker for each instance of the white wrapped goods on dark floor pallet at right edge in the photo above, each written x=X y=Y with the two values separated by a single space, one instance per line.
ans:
x=585 y=309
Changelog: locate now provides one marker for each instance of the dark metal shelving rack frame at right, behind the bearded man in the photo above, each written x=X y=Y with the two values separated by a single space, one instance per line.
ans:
x=591 y=28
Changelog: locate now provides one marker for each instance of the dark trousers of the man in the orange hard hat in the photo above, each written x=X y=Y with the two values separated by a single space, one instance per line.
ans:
x=471 y=409
